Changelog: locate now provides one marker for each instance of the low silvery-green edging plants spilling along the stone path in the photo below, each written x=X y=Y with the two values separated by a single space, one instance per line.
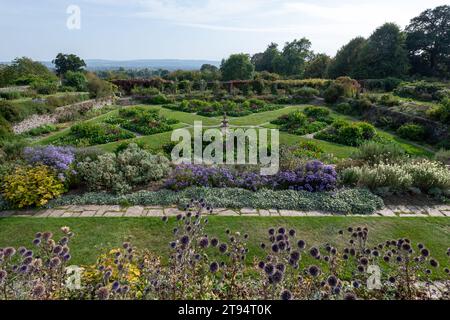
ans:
x=344 y=201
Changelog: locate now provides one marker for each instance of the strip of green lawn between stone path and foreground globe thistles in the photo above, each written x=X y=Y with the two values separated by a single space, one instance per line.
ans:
x=97 y=235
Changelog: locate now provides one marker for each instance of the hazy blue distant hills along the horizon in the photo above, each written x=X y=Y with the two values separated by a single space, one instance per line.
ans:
x=169 y=64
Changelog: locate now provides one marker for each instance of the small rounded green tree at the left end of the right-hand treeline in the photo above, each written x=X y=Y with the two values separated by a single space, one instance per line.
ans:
x=237 y=67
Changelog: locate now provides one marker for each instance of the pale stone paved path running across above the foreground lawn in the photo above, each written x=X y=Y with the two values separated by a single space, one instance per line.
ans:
x=142 y=211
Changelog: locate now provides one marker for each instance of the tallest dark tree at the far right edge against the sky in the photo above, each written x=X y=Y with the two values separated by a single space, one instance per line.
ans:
x=428 y=42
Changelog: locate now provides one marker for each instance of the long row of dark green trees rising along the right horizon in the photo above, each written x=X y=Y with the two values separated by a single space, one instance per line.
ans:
x=422 y=49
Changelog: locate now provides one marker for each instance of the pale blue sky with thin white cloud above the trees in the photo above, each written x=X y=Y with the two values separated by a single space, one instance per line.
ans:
x=189 y=29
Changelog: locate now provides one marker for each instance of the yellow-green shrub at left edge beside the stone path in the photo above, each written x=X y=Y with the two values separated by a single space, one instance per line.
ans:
x=31 y=186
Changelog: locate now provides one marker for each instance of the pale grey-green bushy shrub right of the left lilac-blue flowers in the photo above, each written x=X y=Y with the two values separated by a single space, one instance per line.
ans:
x=120 y=173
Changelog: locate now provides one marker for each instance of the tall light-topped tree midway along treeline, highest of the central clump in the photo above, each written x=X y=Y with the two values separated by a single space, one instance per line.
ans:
x=295 y=54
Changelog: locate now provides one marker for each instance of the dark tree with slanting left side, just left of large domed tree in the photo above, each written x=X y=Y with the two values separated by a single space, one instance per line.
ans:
x=344 y=63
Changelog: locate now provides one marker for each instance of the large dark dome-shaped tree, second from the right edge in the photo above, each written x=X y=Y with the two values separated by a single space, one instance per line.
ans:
x=383 y=55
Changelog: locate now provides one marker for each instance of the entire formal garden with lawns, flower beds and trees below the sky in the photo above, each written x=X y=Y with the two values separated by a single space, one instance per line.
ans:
x=86 y=179
